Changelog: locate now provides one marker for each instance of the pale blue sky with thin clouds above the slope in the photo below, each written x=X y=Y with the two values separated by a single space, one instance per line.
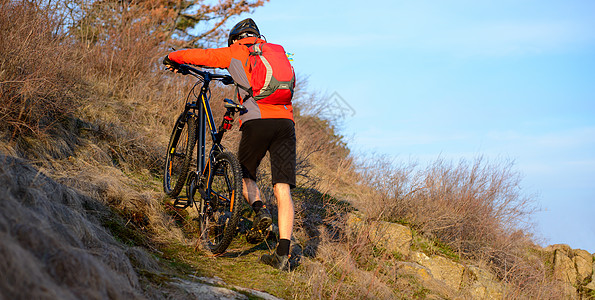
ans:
x=462 y=79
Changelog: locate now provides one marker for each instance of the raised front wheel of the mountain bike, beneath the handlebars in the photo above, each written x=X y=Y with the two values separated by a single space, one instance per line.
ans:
x=179 y=155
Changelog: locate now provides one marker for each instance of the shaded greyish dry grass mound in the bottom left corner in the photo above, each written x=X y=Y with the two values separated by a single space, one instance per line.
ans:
x=48 y=233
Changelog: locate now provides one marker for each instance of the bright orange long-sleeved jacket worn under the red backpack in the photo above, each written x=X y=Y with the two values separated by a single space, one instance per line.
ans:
x=236 y=59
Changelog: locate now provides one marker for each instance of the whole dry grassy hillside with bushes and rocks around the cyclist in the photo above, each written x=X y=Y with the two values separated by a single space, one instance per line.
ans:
x=84 y=123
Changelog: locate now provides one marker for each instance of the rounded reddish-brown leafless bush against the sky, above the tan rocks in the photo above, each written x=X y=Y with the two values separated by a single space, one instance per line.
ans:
x=471 y=207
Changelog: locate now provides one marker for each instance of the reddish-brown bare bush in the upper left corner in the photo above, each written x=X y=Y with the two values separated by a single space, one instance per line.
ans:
x=38 y=81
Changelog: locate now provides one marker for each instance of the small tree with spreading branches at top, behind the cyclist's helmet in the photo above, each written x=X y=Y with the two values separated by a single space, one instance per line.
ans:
x=183 y=22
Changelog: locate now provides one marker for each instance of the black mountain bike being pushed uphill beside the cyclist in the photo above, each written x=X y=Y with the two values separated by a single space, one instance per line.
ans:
x=218 y=176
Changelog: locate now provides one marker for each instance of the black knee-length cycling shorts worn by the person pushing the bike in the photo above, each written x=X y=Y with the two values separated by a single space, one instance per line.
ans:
x=277 y=136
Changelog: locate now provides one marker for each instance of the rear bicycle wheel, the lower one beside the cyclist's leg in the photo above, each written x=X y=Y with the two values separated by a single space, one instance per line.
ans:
x=221 y=211
